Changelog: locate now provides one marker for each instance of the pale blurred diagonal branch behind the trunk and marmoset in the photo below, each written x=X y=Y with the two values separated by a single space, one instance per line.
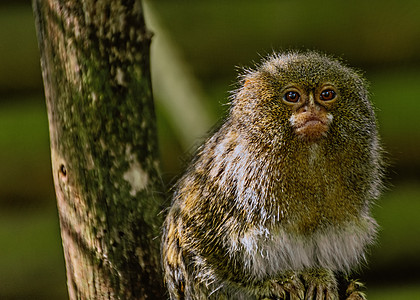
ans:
x=177 y=92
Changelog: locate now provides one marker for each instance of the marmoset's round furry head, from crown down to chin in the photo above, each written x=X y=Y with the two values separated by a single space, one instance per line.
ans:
x=302 y=97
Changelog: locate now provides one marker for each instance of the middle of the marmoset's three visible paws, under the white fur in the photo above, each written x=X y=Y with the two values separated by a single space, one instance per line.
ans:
x=320 y=285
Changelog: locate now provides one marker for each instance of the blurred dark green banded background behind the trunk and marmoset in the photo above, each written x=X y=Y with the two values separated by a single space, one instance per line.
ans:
x=197 y=49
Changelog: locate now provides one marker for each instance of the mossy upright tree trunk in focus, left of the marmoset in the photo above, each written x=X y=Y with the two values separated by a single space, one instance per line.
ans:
x=95 y=66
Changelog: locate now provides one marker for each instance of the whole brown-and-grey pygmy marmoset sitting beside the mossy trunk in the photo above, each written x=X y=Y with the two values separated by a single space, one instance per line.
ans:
x=276 y=203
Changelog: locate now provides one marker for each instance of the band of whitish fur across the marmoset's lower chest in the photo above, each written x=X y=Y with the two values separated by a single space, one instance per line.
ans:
x=338 y=249
